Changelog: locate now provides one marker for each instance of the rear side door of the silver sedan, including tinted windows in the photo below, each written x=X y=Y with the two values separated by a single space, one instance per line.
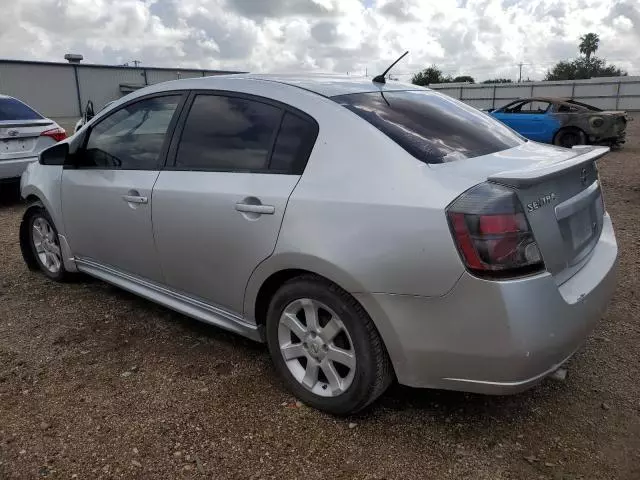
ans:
x=218 y=208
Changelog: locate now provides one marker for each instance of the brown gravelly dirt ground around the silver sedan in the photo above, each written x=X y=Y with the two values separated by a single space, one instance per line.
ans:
x=97 y=383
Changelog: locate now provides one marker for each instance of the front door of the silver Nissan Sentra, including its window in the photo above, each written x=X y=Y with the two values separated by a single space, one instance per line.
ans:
x=107 y=192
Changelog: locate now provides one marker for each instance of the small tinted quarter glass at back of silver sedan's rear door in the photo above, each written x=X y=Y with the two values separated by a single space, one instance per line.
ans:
x=293 y=146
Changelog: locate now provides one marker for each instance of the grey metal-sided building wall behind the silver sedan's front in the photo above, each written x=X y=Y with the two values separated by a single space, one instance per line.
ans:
x=61 y=90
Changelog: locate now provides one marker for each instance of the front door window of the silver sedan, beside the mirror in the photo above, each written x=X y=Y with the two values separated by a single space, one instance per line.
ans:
x=132 y=137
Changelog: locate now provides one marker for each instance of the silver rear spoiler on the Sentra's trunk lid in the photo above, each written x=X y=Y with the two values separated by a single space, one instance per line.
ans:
x=535 y=174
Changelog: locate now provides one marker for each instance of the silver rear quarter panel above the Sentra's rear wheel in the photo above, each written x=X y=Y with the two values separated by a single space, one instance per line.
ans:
x=365 y=213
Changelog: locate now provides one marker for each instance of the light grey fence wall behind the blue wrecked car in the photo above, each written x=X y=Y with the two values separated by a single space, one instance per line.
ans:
x=616 y=93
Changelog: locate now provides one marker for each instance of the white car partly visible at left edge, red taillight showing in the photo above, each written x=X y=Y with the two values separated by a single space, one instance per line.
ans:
x=24 y=133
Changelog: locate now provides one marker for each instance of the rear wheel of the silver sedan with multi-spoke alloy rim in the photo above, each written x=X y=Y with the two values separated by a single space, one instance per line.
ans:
x=346 y=387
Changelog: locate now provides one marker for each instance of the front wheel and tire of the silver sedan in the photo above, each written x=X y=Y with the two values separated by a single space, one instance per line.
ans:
x=41 y=251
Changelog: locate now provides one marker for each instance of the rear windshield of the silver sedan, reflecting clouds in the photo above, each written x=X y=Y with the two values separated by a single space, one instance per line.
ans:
x=430 y=126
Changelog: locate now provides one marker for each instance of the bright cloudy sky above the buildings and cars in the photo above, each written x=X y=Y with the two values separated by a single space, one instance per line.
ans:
x=482 y=38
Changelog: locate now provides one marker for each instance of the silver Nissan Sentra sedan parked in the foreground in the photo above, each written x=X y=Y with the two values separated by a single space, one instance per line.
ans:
x=365 y=231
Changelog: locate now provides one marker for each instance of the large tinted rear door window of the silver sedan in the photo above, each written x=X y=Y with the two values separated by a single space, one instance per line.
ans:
x=228 y=134
